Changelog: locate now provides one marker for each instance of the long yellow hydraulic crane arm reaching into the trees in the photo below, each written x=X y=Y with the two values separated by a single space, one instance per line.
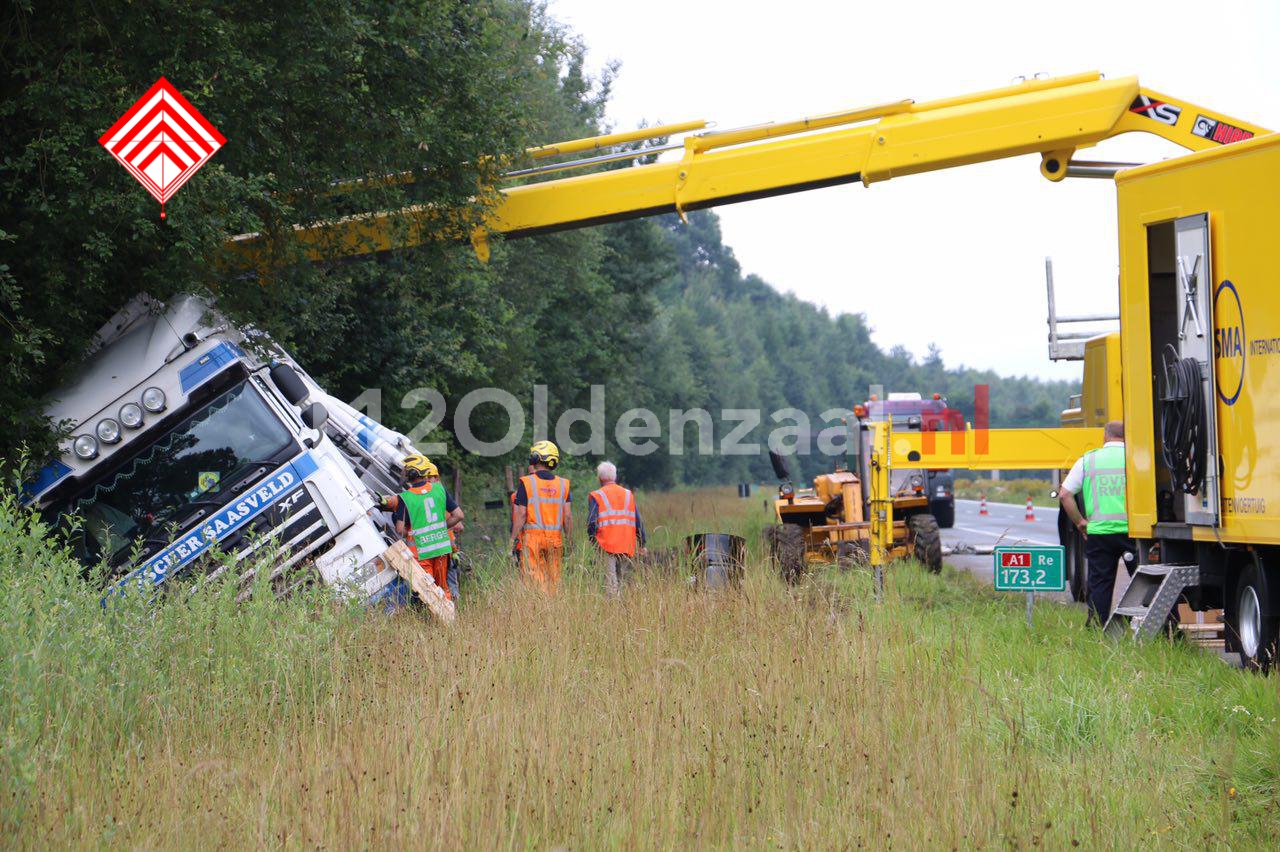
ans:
x=1054 y=118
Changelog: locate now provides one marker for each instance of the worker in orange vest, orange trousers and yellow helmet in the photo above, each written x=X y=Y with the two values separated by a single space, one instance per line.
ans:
x=542 y=519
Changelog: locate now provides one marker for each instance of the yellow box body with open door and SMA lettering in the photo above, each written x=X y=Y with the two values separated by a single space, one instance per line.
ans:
x=1237 y=189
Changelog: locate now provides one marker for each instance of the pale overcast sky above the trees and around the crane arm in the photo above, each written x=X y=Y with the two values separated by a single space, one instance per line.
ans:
x=950 y=258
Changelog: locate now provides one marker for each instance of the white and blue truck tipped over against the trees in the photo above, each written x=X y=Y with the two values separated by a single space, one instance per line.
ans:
x=191 y=436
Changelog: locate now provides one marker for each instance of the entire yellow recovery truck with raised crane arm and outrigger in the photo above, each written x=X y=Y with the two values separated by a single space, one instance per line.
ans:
x=1200 y=350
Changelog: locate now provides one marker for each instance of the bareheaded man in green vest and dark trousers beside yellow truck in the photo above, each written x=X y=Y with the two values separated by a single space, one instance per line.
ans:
x=1099 y=475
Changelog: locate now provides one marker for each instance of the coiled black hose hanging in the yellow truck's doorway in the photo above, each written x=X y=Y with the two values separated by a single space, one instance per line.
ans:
x=1183 y=425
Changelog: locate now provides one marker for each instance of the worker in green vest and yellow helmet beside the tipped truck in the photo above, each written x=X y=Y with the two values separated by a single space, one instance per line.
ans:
x=424 y=514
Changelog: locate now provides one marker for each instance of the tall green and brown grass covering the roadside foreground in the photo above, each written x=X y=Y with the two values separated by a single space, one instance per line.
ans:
x=780 y=717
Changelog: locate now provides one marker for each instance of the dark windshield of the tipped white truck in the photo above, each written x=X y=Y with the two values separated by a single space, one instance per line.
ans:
x=198 y=464
